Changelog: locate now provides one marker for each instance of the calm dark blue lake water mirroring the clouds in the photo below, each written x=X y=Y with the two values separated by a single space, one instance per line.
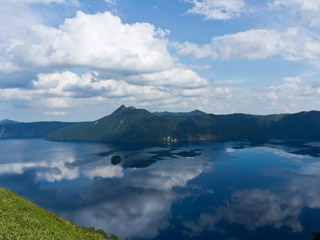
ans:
x=233 y=190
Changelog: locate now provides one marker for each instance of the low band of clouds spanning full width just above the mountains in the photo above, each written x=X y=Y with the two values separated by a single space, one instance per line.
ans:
x=61 y=91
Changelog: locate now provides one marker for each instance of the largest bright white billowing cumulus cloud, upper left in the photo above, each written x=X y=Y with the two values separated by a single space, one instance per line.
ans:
x=99 y=41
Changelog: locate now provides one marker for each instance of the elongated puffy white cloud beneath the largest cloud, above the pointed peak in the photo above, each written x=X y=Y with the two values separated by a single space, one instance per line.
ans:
x=70 y=85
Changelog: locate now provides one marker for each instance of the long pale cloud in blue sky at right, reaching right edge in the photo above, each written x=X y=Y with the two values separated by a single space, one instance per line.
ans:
x=290 y=45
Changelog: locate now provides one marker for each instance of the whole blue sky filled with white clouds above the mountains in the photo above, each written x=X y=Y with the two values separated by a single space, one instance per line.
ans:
x=78 y=60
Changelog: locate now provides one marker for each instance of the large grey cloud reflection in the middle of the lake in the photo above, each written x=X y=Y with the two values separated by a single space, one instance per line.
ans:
x=138 y=205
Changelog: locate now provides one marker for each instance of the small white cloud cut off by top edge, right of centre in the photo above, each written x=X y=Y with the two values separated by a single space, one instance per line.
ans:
x=217 y=9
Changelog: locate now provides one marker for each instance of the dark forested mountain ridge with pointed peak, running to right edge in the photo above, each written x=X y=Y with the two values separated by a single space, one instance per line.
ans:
x=128 y=124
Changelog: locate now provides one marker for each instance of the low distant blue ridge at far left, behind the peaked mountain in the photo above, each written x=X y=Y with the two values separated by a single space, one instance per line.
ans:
x=31 y=130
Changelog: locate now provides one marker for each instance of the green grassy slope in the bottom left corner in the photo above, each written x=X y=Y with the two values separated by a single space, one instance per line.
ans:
x=21 y=219
